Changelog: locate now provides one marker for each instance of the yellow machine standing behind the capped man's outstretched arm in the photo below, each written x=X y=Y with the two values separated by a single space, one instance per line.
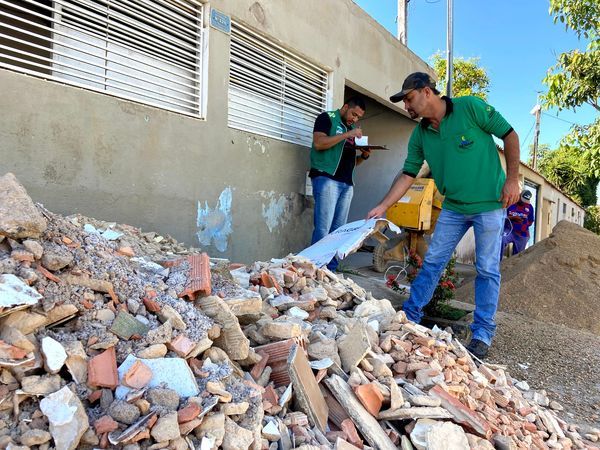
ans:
x=416 y=213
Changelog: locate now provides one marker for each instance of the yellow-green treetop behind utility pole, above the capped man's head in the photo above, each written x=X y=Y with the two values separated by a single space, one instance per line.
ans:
x=468 y=77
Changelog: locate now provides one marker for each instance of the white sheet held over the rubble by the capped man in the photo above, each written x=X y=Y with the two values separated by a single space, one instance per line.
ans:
x=343 y=241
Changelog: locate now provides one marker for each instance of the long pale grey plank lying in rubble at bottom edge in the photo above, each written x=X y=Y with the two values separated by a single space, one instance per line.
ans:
x=366 y=423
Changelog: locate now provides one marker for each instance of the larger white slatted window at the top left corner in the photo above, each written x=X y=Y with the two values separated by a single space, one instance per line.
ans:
x=144 y=50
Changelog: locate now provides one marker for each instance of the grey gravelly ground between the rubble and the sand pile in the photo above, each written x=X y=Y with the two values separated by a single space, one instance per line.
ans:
x=560 y=360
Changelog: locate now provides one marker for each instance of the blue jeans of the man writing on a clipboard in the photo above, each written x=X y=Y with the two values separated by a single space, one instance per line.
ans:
x=332 y=204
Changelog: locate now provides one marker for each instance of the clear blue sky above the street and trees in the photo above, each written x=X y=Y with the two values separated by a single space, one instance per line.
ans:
x=516 y=42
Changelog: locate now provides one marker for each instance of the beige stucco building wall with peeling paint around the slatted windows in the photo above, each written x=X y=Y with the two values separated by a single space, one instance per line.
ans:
x=80 y=151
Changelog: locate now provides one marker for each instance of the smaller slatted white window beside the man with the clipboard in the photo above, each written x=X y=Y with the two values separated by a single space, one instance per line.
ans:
x=272 y=91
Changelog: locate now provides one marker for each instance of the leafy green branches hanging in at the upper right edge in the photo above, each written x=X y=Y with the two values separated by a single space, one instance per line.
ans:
x=575 y=79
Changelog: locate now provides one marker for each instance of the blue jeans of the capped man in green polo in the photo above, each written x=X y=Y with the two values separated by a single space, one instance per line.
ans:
x=449 y=230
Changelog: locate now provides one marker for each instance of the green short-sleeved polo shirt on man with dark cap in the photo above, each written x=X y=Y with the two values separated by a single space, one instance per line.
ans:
x=462 y=155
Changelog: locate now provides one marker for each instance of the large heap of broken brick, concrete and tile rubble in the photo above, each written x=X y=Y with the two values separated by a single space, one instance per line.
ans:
x=113 y=338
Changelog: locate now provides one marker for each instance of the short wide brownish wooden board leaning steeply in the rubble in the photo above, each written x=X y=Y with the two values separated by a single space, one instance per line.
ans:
x=307 y=392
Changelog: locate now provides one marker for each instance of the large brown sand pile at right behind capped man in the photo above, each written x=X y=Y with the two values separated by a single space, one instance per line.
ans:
x=556 y=280
